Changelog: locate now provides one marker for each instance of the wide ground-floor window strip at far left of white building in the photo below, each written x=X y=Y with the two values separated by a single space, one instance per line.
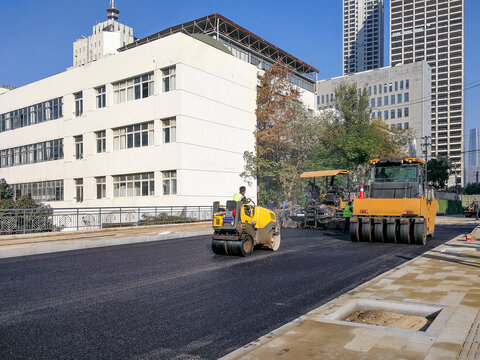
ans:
x=40 y=191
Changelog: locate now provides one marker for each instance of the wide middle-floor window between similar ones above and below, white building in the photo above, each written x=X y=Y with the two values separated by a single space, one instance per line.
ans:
x=131 y=136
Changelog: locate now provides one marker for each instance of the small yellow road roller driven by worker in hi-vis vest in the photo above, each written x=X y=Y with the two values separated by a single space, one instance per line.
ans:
x=239 y=227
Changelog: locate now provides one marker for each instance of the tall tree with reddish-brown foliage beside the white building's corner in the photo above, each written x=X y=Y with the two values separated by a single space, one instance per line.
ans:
x=286 y=135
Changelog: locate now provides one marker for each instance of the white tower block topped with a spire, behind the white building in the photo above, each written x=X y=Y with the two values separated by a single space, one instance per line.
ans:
x=106 y=38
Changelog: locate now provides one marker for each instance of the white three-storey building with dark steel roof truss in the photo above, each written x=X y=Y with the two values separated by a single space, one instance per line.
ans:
x=165 y=121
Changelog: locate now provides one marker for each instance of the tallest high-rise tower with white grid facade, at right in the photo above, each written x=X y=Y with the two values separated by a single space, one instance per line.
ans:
x=434 y=30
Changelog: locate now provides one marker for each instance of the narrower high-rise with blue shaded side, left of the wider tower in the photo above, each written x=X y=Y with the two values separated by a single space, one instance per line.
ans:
x=362 y=35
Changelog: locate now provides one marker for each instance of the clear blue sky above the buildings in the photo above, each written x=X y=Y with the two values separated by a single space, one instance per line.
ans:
x=38 y=35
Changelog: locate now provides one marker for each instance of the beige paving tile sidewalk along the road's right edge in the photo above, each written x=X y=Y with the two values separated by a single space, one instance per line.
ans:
x=447 y=277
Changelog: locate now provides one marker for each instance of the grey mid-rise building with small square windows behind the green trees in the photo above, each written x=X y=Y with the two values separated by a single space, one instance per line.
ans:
x=395 y=93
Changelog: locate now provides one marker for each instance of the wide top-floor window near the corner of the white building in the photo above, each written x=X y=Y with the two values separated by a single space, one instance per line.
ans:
x=135 y=88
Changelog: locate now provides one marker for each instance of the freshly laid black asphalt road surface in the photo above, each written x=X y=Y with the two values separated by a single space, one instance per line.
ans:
x=175 y=299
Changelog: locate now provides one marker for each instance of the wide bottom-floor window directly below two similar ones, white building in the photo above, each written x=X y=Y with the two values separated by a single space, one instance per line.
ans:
x=134 y=185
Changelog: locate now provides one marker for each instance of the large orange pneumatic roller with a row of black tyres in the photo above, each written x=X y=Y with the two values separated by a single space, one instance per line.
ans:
x=399 y=206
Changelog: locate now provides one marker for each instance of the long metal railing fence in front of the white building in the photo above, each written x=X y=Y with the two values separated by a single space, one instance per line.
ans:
x=22 y=221
